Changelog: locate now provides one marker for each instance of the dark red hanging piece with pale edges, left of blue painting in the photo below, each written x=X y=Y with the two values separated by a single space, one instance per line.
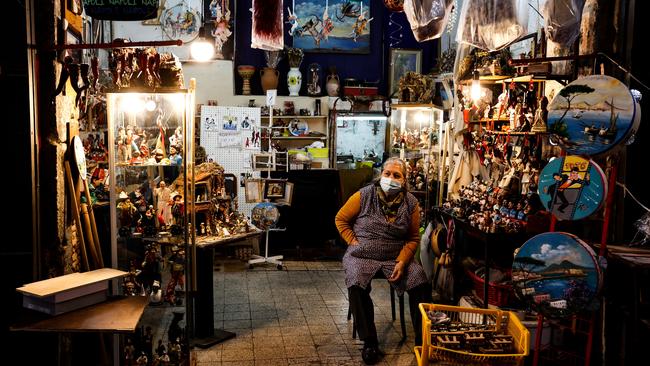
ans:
x=267 y=25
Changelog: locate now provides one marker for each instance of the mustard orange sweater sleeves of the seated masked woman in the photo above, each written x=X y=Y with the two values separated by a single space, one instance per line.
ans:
x=347 y=215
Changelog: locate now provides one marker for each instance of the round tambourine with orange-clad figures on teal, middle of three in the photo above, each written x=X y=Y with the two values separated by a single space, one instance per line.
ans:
x=572 y=187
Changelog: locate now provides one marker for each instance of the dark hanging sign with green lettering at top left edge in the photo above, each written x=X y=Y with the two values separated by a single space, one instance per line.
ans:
x=121 y=10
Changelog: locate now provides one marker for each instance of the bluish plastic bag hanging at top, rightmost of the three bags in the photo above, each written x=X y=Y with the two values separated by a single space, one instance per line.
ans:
x=562 y=20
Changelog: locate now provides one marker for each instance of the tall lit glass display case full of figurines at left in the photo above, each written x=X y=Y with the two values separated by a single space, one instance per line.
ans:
x=150 y=140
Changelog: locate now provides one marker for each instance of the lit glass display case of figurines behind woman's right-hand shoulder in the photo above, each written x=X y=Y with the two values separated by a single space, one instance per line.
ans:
x=414 y=135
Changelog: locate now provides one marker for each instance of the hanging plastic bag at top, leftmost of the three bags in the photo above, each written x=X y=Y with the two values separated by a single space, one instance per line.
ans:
x=428 y=18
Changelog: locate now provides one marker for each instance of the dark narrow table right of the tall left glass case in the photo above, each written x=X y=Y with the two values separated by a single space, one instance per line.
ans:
x=206 y=334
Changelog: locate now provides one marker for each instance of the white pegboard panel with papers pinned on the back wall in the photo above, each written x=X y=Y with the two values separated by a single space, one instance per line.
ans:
x=230 y=135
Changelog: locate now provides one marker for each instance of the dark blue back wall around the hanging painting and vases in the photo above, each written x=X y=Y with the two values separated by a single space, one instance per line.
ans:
x=372 y=67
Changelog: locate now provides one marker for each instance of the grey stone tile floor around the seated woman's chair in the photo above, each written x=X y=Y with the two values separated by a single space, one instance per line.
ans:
x=297 y=316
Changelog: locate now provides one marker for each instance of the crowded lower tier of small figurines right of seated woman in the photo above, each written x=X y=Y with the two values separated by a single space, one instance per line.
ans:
x=491 y=209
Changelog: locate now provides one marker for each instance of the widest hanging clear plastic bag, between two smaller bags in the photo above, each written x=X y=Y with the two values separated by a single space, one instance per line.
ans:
x=492 y=24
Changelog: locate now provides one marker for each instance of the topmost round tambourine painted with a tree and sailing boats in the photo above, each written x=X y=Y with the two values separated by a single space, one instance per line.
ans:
x=592 y=115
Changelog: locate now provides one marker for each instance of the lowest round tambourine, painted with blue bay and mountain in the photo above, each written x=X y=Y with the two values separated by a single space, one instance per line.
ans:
x=557 y=274
